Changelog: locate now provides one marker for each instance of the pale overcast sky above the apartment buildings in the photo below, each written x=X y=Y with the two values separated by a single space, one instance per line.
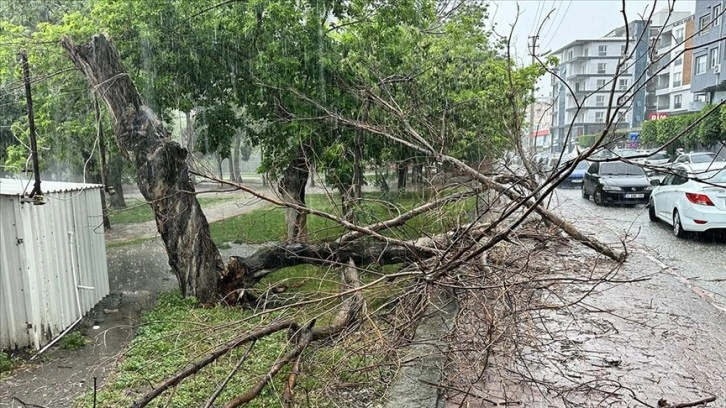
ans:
x=571 y=19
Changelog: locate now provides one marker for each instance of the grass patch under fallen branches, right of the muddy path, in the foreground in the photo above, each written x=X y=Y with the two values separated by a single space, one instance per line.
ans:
x=176 y=332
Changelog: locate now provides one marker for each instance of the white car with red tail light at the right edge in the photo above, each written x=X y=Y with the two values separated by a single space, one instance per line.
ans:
x=691 y=199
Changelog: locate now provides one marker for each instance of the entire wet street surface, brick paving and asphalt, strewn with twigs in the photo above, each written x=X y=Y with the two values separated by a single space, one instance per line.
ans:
x=657 y=334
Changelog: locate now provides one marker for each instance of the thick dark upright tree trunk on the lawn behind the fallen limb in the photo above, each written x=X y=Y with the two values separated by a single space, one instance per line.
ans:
x=292 y=190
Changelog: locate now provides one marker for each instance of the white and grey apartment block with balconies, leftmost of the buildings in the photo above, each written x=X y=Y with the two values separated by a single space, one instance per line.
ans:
x=584 y=81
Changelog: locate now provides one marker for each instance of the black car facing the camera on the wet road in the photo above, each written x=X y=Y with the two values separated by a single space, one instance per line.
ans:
x=616 y=183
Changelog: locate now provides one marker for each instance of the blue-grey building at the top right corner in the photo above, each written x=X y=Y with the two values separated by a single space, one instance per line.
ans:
x=709 y=56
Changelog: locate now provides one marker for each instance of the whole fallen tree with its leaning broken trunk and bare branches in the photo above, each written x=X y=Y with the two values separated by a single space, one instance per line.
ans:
x=163 y=179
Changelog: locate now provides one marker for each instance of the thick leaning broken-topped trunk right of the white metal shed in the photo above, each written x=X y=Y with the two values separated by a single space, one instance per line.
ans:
x=161 y=169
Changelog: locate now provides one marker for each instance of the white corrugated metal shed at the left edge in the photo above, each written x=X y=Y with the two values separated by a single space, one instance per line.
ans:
x=52 y=260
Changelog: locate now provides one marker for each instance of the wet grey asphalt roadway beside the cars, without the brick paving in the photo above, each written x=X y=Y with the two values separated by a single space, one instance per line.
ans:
x=700 y=260
